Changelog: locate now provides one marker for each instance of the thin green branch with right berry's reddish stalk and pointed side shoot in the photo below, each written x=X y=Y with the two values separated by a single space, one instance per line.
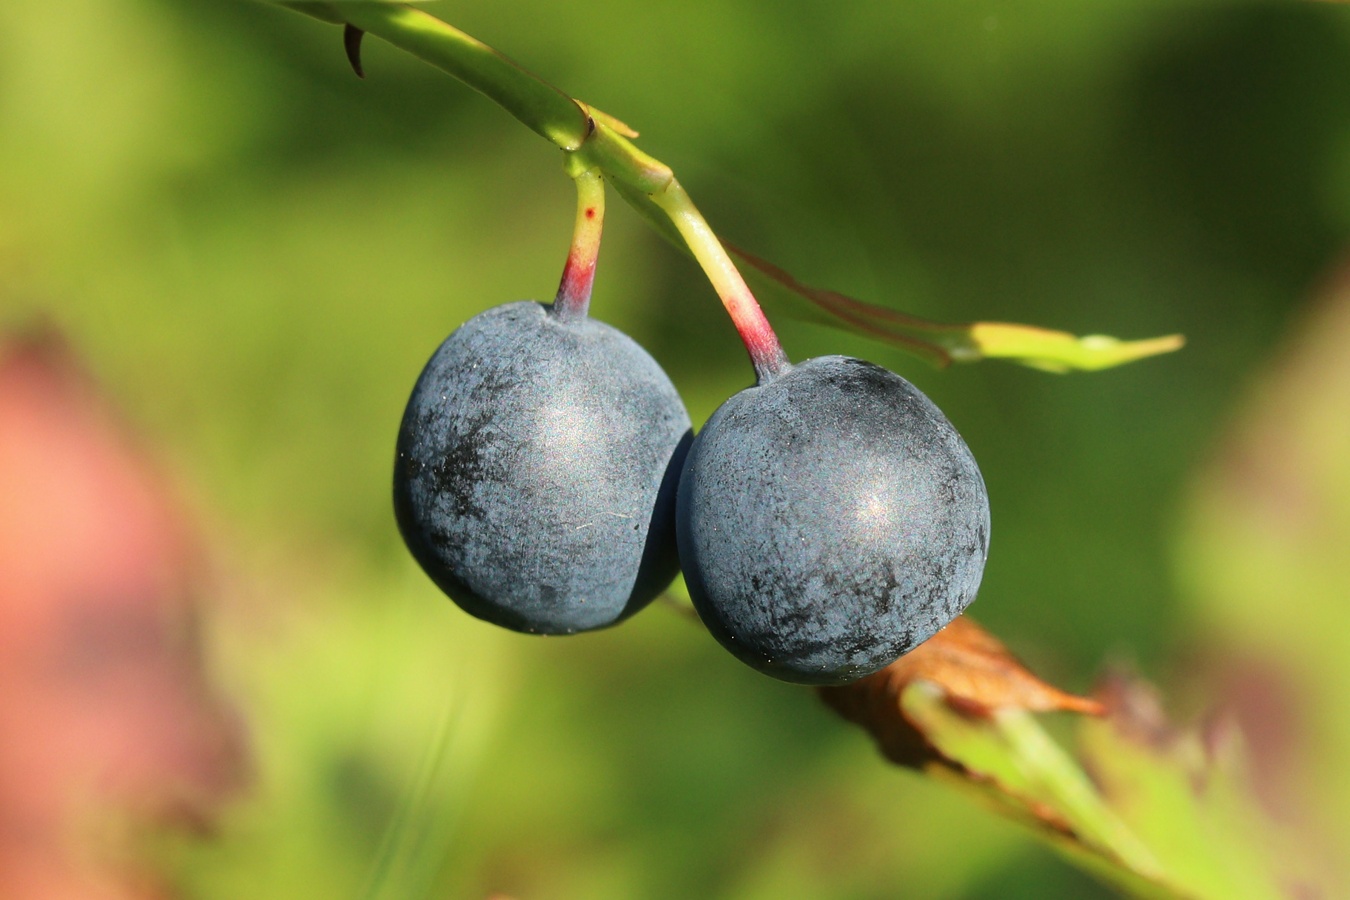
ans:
x=650 y=186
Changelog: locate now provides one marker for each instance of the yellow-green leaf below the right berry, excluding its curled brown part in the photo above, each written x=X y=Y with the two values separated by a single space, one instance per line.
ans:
x=1163 y=814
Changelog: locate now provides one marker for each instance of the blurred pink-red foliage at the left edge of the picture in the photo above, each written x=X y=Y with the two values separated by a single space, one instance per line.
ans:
x=110 y=728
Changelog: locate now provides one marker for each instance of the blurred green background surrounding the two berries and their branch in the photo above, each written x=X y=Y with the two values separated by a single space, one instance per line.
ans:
x=257 y=253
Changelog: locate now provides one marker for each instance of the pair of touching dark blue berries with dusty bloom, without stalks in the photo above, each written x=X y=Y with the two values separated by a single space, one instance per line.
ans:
x=828 y=519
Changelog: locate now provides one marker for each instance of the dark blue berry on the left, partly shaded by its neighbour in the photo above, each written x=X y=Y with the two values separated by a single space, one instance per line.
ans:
x=537 y=468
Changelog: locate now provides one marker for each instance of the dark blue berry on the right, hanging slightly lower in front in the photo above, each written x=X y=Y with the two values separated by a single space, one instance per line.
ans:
x=831 y=520
